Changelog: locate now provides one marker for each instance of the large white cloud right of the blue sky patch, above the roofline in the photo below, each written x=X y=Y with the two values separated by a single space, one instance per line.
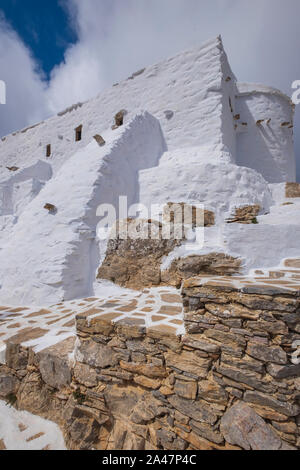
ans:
x=117 y=37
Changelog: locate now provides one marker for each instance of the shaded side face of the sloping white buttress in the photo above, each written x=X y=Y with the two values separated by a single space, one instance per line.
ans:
x=139 y=147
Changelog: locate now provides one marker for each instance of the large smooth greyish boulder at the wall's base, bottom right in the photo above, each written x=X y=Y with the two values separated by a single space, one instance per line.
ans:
x=241 y=426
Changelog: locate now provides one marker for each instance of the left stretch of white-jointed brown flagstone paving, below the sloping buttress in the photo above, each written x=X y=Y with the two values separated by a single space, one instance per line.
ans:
x=159 y=308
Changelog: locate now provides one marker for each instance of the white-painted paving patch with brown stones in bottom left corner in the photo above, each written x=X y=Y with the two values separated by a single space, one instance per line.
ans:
x=20 y=430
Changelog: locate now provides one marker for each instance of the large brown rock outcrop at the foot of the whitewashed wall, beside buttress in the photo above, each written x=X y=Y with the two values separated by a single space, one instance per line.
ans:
x=135 y=262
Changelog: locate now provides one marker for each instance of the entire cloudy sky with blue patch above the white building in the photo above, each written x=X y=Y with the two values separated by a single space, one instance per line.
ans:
x=54 y=53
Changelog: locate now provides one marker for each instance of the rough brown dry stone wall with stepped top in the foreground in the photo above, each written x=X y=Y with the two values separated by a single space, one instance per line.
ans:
x=229 y=383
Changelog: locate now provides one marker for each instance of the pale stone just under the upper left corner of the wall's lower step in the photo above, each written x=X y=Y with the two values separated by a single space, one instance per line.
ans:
x=96 y=355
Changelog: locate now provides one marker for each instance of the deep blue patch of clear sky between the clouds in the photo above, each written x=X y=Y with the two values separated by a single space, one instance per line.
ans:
x=44 y=25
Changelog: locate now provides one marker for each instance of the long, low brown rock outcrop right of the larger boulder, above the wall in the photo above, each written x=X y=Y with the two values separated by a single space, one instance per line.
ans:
x=197 y=265
